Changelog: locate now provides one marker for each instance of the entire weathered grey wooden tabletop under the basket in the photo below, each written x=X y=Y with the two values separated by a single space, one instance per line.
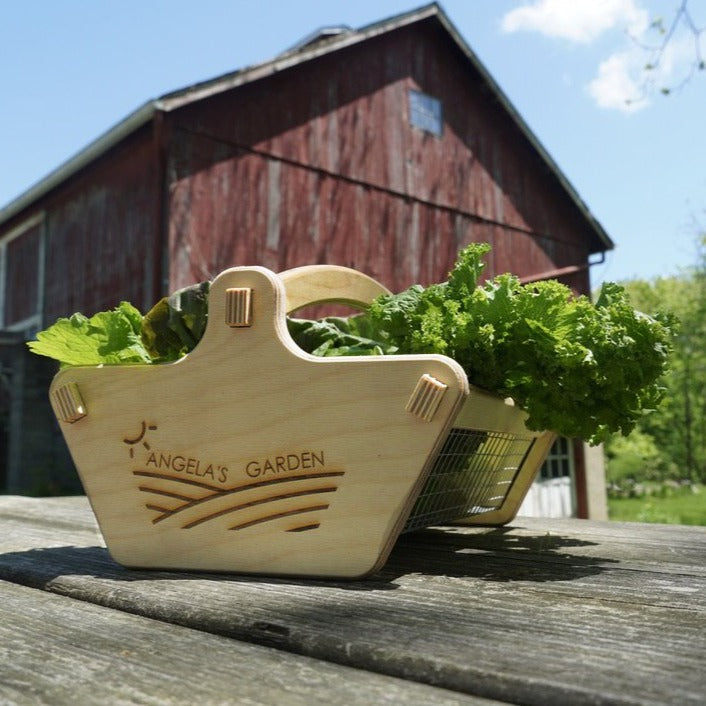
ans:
x=543 y=612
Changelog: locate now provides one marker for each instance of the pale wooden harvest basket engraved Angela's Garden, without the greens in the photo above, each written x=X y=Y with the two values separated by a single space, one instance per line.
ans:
x=250 y=455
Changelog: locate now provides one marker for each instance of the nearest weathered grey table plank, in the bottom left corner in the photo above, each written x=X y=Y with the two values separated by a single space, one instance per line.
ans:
x=54 y=651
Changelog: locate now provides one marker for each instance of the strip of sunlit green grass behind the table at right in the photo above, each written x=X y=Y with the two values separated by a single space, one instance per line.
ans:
x=685 y=506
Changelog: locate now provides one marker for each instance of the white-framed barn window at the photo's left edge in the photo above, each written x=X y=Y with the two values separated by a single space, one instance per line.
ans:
x=21 y=263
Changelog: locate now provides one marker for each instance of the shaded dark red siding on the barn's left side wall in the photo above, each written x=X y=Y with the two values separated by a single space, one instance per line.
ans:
x=102 y=235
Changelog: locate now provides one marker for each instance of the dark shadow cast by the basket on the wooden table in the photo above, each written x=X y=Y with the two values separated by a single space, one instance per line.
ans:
x=491 y=554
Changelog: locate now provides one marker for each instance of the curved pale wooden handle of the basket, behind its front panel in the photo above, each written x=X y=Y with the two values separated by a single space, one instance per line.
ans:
x=329 y=284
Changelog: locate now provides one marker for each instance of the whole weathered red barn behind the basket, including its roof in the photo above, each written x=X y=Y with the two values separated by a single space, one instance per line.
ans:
x=385 y=149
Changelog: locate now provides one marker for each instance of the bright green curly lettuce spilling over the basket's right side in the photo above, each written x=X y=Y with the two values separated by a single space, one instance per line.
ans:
x=580 y=369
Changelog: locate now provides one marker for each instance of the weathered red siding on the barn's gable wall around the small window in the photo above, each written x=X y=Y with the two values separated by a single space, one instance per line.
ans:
x=319 y=164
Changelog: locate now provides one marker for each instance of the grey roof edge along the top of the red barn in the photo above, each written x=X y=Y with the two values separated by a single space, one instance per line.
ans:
x=322 y=42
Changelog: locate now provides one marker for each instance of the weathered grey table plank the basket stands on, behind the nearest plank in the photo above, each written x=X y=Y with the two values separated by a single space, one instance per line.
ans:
x=552 y=612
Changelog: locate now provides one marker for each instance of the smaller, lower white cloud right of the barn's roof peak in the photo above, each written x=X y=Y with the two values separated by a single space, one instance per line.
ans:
x=615 y=86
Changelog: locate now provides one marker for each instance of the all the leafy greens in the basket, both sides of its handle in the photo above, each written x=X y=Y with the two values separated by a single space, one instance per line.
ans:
x=581 y=369
